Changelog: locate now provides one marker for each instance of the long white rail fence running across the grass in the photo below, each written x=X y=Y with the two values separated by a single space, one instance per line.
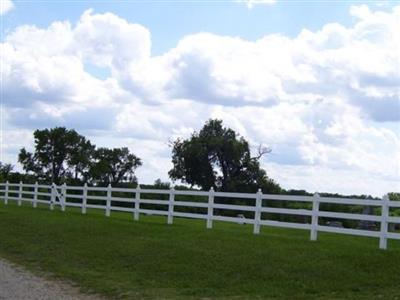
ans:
x=82 y=197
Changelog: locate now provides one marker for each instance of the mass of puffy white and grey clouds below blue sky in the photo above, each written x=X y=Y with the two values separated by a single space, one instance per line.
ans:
x=326 y=101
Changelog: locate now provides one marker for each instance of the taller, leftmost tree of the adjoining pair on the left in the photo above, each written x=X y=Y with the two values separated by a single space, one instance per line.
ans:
x=59 y=154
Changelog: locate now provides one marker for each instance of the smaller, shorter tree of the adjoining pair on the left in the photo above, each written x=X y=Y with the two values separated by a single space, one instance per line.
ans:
x=112 y=166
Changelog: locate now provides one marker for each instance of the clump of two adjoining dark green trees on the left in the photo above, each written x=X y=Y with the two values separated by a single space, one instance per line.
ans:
x=62 y=154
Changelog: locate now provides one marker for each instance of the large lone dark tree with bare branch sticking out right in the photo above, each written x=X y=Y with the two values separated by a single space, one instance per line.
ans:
x=218 y=157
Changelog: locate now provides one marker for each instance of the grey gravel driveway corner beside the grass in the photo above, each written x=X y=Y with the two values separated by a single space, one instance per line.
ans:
x=17 y=283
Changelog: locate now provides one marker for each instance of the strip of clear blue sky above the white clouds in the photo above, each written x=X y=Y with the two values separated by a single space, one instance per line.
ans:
x=169 y=21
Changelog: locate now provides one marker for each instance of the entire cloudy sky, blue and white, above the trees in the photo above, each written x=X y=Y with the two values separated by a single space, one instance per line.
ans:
x=317 y=81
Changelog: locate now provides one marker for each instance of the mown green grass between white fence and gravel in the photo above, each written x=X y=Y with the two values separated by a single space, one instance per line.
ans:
x=121 y=258
